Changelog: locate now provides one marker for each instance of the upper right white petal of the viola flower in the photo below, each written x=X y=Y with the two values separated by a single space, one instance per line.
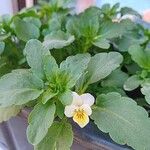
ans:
x=88 y=99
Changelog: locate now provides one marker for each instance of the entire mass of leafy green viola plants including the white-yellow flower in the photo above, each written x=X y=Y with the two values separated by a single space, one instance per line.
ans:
x=84 y=67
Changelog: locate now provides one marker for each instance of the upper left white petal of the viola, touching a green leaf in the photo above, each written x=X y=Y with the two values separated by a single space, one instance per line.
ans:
x=77 y=101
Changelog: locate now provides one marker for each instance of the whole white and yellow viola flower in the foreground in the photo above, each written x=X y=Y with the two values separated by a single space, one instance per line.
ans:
x=80 y=109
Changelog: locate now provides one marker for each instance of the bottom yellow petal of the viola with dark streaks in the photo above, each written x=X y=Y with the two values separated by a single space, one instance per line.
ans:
x=80 y=117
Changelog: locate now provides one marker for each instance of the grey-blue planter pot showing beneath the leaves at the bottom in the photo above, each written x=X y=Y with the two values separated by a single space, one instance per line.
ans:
x=13 y=136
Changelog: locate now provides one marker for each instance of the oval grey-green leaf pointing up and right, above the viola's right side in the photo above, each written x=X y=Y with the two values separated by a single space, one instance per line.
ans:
x=102 y=64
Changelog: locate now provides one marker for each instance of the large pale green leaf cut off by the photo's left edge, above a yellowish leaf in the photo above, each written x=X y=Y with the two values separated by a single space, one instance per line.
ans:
x=19 y=87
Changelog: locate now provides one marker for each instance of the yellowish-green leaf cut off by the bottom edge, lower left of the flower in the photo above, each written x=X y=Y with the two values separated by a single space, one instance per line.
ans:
x=59 y=136
